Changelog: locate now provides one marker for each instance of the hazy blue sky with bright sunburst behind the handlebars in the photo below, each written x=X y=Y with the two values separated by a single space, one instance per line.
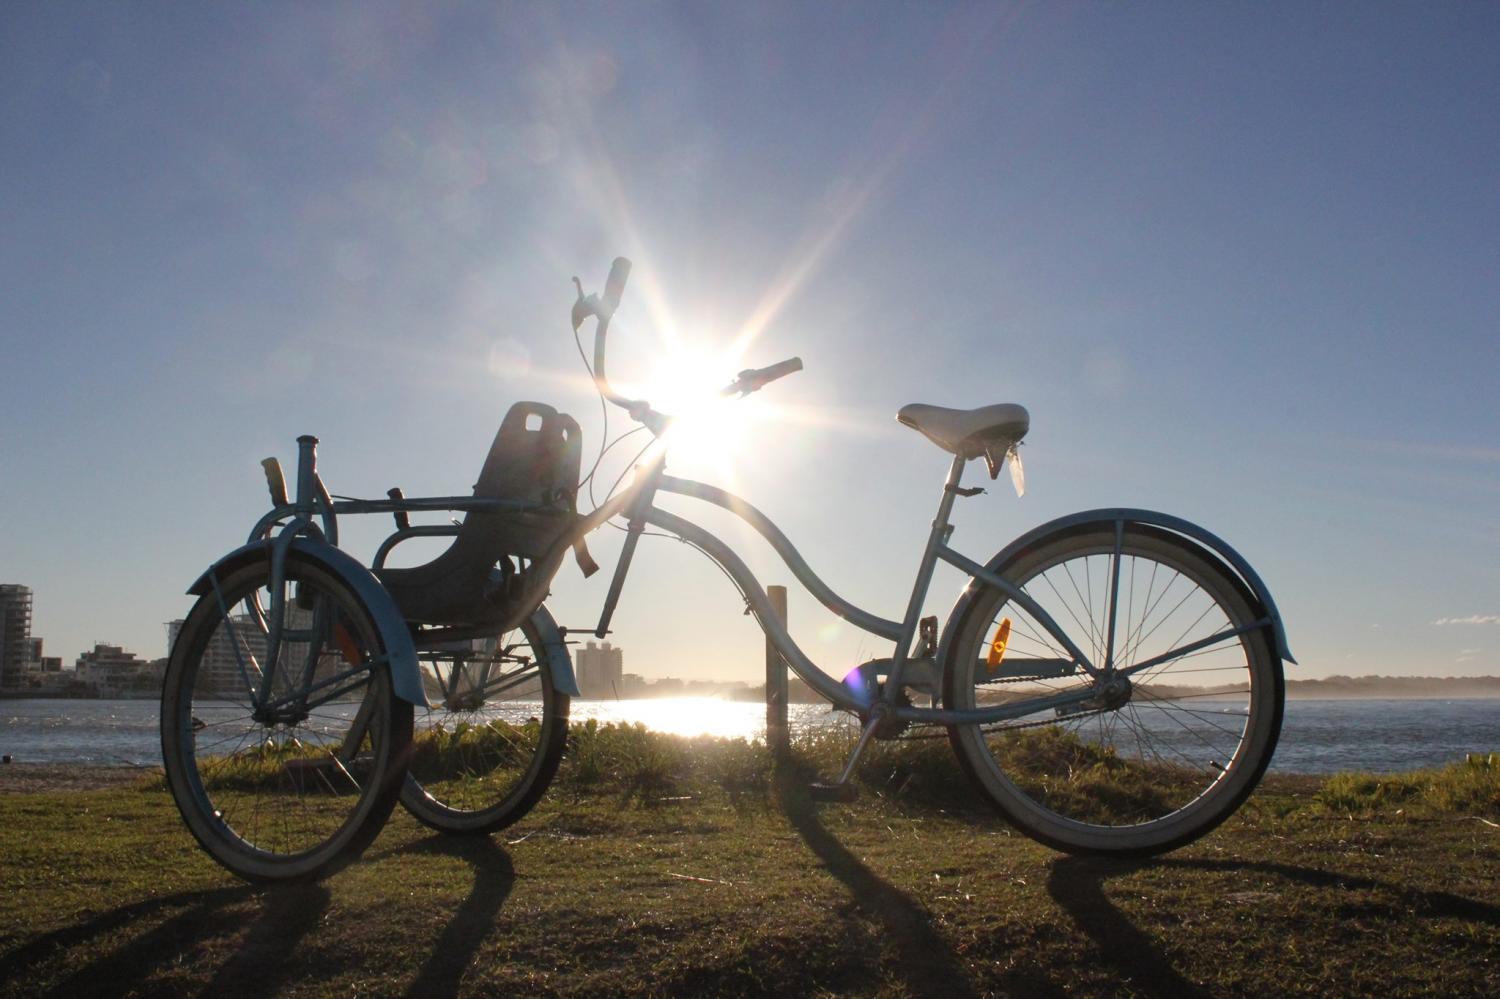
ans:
x=1241 y=265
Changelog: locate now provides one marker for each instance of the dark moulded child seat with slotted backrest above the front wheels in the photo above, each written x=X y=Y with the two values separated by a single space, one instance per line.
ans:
x=536 y=464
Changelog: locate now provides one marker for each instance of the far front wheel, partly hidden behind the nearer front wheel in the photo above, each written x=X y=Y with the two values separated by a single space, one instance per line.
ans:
x=491 y=742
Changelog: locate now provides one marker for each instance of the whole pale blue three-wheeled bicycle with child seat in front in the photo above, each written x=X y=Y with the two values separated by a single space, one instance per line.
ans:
x=1112 y=680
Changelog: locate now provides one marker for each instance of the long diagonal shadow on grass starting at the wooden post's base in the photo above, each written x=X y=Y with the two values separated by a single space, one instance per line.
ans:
x=925 y=958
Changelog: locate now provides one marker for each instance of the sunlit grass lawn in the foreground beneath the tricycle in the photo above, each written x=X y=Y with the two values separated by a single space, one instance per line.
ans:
x=667 y=866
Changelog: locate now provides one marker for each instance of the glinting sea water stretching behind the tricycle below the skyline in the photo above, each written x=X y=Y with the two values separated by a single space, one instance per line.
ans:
x=1318 y=737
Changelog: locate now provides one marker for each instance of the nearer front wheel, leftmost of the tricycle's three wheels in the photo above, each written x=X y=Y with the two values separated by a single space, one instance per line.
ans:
x=283 y=742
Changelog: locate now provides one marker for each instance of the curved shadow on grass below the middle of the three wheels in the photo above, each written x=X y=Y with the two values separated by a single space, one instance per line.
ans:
x=455 y=949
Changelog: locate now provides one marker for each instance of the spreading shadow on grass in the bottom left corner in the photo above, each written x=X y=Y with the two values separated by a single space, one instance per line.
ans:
x=194 y=925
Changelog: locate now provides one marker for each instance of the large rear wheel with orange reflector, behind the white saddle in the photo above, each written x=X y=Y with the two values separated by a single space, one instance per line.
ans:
x=1159 y=757
